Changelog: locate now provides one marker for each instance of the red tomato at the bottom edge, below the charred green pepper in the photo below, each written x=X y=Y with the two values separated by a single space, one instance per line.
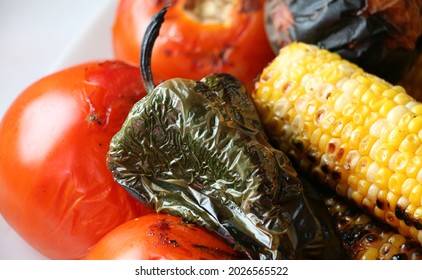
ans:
x=161 y=237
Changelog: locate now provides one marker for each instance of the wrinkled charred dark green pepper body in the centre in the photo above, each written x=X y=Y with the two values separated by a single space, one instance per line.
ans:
x=196 y=149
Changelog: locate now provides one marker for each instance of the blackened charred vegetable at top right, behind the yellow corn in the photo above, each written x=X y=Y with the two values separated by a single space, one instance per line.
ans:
x=379 y=36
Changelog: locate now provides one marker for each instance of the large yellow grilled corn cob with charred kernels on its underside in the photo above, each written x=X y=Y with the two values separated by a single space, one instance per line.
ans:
x=349 y=130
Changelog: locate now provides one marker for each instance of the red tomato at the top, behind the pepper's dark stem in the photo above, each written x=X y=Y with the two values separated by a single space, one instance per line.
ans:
x=197 y=38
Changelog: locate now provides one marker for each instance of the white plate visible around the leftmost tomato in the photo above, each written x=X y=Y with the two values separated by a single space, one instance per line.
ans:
x=42 y=37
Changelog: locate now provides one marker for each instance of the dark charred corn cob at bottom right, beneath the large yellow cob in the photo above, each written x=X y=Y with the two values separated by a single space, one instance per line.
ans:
x=364 y=238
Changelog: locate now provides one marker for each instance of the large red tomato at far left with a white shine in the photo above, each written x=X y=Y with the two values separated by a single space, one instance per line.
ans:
x=55 y=188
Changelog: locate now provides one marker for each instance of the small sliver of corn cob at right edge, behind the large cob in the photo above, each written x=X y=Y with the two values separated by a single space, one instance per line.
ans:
x=412 y=81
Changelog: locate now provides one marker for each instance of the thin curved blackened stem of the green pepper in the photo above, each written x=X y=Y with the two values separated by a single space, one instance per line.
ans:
x=151 y=34
